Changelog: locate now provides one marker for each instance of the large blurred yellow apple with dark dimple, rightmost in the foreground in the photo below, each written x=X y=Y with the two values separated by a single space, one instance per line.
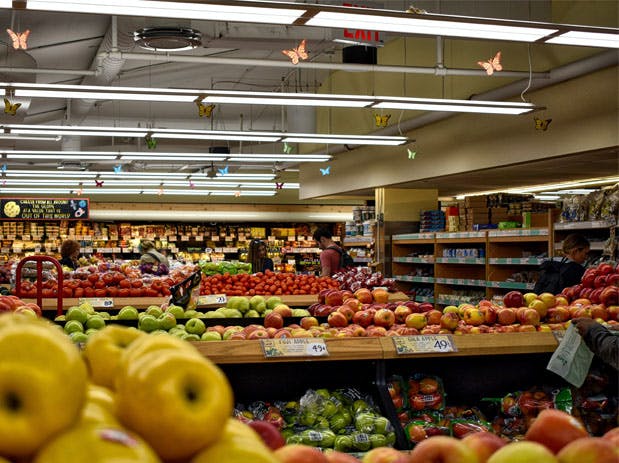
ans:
x=175 y=399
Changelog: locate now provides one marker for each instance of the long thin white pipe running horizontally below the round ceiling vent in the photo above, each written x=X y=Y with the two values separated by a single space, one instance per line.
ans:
x=248 y=62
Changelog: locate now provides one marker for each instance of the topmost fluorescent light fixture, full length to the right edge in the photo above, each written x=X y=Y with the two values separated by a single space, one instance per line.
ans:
x=338 y=17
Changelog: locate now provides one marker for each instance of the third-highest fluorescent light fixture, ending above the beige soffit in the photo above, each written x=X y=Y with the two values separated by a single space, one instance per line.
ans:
x=188 y=134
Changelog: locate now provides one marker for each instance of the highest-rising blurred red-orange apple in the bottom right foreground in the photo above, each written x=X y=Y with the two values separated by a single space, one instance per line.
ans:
x=555 y=429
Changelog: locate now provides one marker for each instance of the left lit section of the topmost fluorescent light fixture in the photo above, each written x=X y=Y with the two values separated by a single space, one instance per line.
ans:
x=233 y=11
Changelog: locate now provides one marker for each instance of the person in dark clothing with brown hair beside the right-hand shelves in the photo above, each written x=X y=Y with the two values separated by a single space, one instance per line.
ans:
x=558 y=274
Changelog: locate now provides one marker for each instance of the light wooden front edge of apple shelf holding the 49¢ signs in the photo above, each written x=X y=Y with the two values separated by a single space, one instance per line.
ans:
x=377 y=348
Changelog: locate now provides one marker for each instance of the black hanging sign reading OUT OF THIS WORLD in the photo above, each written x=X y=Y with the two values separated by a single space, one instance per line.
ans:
x=44 y=208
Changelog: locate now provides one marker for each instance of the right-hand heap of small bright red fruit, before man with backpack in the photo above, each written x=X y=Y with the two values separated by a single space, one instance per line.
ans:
x=267 y=283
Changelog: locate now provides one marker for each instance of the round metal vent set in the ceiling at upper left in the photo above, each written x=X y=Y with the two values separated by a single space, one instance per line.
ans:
x=167 y=38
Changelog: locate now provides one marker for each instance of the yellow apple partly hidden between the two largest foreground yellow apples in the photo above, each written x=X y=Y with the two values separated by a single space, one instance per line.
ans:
x=104 y=349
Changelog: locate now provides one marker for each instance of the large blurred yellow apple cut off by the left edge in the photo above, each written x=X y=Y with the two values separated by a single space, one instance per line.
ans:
x=42 y=384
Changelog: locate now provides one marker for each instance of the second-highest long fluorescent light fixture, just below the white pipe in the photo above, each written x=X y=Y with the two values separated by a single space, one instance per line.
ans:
x=24 y=90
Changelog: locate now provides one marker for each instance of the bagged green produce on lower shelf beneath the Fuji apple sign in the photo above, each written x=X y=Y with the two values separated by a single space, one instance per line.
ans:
x=345 y=420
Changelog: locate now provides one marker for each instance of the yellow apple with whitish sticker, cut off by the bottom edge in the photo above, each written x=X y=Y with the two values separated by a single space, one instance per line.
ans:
x=101 y=443
